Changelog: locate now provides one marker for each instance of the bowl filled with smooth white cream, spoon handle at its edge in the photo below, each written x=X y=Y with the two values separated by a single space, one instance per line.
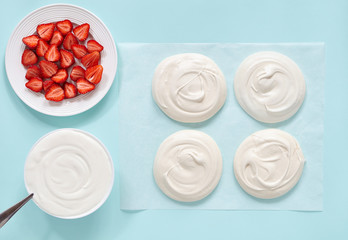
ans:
x=70 y=173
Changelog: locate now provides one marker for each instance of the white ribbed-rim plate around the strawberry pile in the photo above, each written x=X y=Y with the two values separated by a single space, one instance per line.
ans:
x=16 y=71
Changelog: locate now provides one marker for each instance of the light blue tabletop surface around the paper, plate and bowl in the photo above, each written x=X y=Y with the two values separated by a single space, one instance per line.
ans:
x=242 y=21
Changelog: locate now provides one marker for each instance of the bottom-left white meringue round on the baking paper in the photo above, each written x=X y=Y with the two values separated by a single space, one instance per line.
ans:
x=188 y=165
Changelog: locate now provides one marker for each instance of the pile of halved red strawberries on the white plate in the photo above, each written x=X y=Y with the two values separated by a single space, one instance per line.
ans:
x=59 y=64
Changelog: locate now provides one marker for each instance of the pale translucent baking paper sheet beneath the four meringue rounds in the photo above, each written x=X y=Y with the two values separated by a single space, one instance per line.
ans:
x=142 y=126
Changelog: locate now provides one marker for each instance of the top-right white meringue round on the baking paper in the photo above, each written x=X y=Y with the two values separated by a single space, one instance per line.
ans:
x=269 y=86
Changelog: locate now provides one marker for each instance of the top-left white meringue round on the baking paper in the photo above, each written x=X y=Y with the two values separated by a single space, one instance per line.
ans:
x=189 y=87
